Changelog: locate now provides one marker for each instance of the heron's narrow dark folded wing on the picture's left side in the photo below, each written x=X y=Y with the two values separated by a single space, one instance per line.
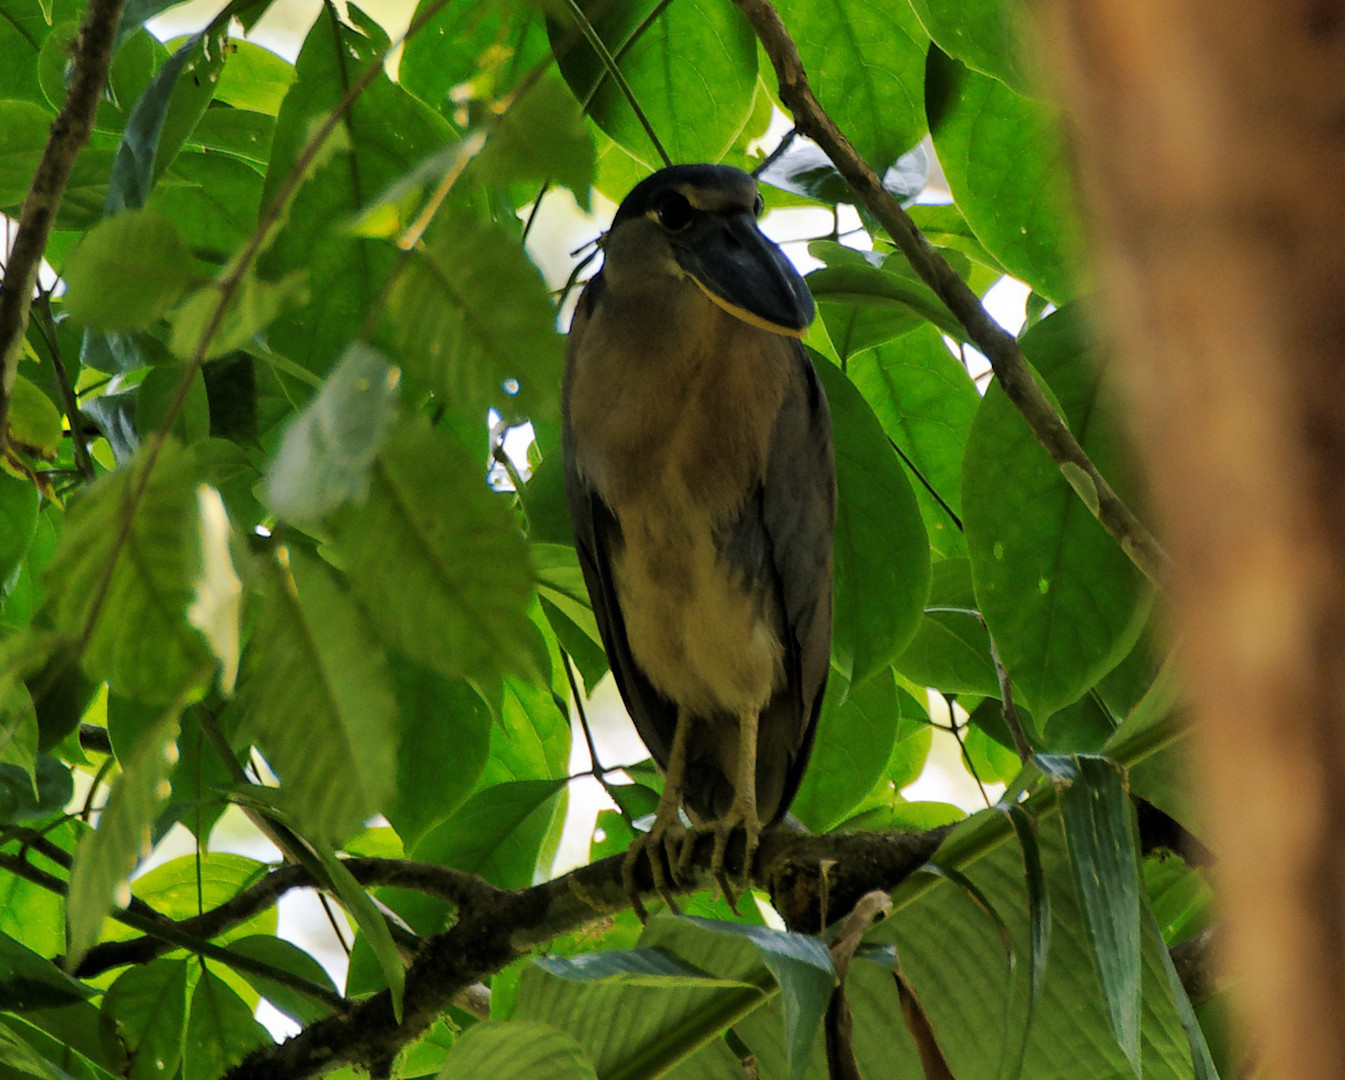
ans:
x=598 y=535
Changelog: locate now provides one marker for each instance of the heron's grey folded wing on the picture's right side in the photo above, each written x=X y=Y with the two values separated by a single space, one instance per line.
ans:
x=798 y=518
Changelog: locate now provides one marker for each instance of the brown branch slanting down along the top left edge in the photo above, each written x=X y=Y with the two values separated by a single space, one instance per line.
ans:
x=69 y=134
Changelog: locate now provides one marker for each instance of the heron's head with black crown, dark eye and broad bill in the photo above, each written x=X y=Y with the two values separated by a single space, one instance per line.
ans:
x=700 y=223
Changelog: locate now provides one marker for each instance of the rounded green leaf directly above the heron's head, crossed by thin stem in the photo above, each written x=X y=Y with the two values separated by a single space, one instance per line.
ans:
x=695 y=119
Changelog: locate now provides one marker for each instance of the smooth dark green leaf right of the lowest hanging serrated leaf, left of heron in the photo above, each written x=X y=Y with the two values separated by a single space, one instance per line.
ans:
x=443 y=743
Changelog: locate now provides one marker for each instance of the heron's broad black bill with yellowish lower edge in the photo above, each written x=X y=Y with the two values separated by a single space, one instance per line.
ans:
x=746 y=274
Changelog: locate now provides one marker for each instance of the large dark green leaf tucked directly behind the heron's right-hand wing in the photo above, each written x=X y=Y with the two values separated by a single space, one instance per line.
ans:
x=882 y=549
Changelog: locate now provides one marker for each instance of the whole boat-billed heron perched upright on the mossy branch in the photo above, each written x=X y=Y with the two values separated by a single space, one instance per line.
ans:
x=701 y=485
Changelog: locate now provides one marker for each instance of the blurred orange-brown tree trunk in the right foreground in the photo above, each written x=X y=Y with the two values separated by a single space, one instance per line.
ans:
x=1211 y=142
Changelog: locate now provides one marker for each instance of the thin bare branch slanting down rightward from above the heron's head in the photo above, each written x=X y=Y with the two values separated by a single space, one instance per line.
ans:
x=1000 y=348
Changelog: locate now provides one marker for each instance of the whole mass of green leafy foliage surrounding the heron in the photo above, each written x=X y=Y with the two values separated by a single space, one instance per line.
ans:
x=262 y=566
